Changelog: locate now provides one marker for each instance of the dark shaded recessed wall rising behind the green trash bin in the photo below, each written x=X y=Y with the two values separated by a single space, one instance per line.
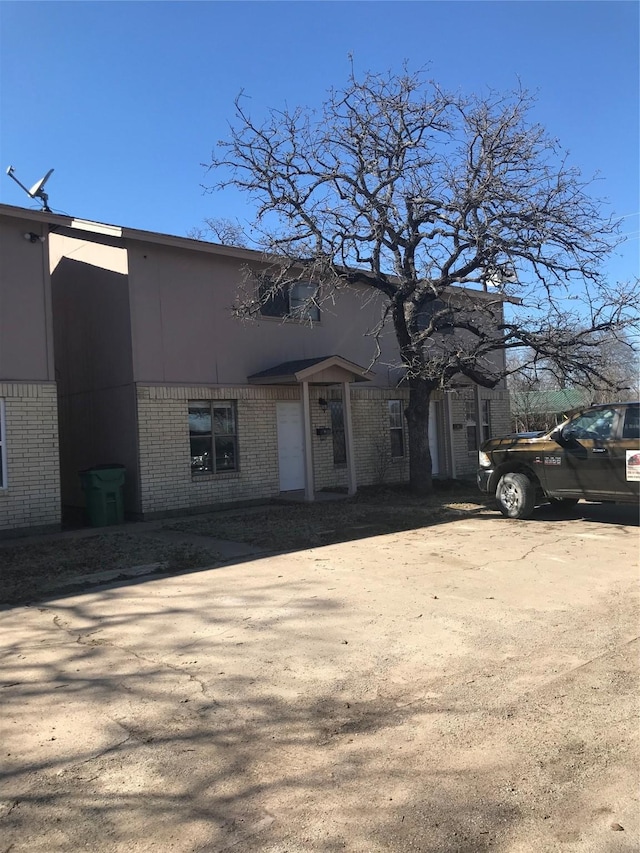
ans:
x=92 y=333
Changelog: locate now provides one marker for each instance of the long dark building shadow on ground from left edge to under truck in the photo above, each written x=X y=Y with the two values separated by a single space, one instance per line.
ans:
x=67 y=564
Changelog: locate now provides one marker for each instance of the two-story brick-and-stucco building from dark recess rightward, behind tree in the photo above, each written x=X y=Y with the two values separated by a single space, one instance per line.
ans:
x=154 y=371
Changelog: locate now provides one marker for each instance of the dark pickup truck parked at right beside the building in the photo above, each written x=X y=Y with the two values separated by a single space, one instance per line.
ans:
x=594 y=455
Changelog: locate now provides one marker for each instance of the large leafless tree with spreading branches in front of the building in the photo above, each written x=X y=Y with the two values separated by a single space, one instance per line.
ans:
x=445 y=205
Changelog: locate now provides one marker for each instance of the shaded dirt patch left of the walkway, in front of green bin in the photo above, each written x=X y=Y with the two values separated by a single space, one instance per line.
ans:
x=28 y=568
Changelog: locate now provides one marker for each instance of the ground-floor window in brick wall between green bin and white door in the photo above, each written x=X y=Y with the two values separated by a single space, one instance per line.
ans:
x=213 y=436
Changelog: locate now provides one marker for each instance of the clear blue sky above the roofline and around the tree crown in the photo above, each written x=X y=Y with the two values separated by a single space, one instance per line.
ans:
x=126 y=100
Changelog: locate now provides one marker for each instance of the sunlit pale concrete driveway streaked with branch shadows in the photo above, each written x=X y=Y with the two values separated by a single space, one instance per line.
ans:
x=464 y=687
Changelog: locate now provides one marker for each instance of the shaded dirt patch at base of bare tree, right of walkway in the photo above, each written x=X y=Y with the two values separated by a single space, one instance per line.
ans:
x=373 y=512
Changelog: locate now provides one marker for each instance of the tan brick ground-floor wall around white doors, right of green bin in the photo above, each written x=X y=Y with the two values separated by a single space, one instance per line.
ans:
x=166 y=481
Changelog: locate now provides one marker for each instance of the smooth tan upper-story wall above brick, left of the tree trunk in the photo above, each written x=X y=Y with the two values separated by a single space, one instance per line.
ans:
x=184 y=331
